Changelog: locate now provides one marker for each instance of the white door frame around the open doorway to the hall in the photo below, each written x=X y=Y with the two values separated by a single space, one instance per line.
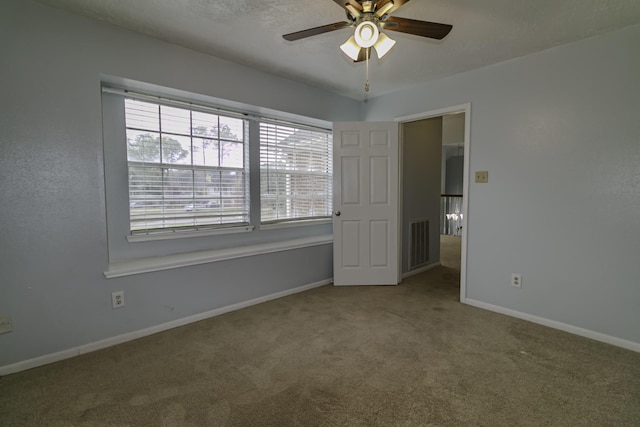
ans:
x=462 y=108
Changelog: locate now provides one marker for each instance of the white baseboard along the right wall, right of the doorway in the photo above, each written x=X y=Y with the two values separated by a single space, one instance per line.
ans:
x=597 y=336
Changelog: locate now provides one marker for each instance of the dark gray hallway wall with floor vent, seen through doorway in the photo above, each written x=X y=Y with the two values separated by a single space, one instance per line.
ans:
x=421 y=154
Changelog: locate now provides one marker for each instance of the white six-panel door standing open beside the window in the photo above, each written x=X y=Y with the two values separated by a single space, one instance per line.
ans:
x=365 y=220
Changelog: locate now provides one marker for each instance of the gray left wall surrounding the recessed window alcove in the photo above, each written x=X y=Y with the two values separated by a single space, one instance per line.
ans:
x=53 y=249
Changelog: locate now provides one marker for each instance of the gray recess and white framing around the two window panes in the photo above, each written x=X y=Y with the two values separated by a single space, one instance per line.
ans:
x=137 y=248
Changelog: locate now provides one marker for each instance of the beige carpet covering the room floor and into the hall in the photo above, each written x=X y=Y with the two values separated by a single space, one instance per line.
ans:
x=410 y=355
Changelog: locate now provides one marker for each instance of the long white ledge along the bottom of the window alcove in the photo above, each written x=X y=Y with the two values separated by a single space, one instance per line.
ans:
x=146 y=265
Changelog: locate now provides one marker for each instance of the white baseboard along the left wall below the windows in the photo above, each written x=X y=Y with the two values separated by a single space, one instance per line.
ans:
x=119 y=339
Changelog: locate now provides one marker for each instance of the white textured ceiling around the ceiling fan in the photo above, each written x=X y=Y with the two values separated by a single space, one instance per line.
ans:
x=250 y=32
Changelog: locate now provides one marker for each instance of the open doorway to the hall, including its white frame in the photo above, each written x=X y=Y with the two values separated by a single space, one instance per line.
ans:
x=453 y=125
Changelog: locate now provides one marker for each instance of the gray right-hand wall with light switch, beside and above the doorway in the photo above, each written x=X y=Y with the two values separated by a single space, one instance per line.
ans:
x=559 y=133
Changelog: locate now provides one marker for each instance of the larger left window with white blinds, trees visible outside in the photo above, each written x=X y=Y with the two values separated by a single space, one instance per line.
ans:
x=187 y=166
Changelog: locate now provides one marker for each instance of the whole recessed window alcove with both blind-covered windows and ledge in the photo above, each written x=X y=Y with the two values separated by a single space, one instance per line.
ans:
x=182 y=178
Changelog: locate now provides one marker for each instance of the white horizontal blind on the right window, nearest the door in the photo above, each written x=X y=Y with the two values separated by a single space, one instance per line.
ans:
x=296 y=172
